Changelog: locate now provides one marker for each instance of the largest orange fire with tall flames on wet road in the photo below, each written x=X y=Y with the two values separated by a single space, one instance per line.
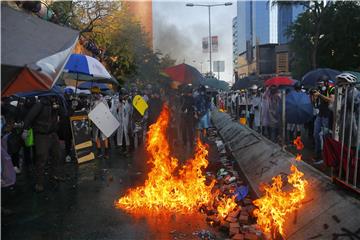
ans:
x=170 y=186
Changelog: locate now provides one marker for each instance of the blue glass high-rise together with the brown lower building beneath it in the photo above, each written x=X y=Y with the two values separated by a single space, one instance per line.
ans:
x=261 y=24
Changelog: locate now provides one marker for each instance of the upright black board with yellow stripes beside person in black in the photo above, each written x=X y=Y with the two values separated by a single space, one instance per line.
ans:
x=81 y=131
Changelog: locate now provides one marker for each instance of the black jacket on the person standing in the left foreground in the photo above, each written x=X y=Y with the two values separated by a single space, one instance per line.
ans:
x=43 y=118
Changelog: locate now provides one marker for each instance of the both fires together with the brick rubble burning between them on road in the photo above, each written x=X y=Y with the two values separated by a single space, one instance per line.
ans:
x=221 y=195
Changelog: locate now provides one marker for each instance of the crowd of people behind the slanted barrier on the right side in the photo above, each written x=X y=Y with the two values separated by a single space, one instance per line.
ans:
x=260 y=108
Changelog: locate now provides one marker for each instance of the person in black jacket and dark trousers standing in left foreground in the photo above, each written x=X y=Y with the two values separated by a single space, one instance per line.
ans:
x=44 y=119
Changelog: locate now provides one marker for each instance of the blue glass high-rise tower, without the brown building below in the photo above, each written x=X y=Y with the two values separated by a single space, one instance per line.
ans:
x=260 y=23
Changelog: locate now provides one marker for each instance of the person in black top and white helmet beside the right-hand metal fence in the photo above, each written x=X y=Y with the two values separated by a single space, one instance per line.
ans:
x=322 y=98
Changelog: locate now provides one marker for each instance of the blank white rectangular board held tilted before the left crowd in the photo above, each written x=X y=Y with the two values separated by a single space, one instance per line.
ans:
x=103 y=119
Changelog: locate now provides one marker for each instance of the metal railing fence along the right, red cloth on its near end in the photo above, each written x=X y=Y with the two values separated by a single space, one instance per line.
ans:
x=345 y=135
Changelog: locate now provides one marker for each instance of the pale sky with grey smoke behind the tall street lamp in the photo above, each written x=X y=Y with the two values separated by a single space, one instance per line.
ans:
x=178 y=30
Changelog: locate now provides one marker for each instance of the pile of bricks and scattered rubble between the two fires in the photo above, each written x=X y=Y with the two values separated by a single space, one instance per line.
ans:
x=240 y=223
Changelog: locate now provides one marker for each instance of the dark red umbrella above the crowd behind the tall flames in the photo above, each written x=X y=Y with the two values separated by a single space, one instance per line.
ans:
x=184 y=74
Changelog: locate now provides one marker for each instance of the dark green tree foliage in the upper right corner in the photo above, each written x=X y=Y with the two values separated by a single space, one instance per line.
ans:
x=326 y=36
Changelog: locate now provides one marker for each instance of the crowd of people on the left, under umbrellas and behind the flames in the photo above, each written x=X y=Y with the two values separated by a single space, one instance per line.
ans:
x=37 y=135
